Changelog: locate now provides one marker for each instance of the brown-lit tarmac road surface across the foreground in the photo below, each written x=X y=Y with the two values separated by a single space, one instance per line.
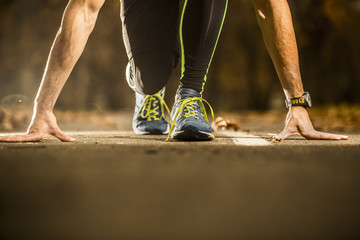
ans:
x=116 y=185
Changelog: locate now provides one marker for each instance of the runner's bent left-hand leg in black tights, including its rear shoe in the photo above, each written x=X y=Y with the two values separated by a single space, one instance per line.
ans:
x=150 y=32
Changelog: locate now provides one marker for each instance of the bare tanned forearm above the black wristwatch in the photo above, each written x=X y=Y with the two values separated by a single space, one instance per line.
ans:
x=275 y=21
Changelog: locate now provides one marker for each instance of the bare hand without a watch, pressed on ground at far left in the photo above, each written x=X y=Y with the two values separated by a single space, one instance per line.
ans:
x=42 y=126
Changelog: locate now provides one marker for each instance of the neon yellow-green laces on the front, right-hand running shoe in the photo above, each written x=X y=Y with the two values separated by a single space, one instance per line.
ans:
x=189 y=105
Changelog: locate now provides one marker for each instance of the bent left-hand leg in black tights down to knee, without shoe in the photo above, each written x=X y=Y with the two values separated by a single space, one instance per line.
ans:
x=150 y=32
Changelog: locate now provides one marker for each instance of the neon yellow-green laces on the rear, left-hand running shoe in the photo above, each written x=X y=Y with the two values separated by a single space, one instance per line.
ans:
x=150 y=107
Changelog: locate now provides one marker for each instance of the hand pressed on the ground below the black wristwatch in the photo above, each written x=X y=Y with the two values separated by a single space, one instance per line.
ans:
x=298 y=123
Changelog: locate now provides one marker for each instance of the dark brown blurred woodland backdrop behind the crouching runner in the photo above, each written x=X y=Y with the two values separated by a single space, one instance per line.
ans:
x=242 y=76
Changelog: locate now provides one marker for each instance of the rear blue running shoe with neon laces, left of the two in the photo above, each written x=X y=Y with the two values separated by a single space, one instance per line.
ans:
x=149 y=115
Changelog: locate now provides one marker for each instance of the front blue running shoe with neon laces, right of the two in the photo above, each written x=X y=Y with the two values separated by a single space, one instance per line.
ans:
x=189 y=119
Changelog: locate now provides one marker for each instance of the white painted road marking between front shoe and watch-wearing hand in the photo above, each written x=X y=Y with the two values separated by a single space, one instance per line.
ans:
x=244 y=139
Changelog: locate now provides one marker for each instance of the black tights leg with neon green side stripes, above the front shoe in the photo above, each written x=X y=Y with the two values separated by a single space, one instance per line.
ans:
x=200 y=27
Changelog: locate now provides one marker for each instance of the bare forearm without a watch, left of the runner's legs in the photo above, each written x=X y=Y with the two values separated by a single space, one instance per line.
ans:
x=76 y=26
